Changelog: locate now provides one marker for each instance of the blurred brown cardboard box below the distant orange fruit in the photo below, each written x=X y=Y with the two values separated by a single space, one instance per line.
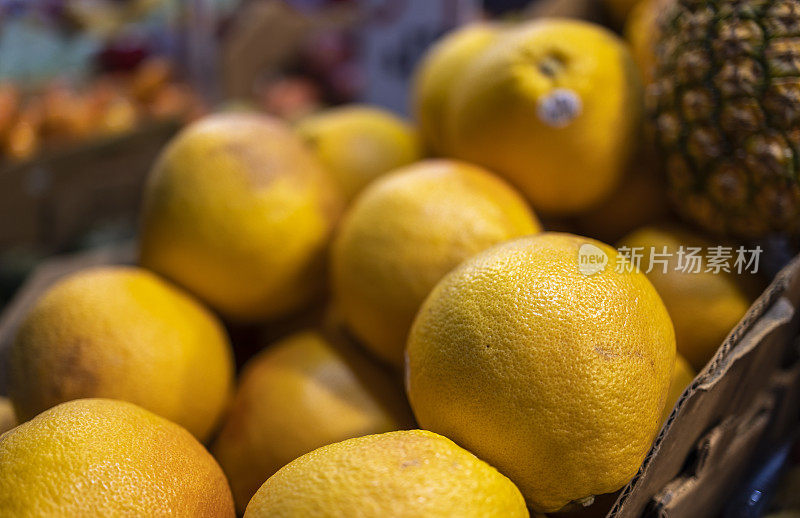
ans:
x=51 y=200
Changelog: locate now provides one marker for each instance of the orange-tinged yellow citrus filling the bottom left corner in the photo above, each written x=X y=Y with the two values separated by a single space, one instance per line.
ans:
x=108 y=458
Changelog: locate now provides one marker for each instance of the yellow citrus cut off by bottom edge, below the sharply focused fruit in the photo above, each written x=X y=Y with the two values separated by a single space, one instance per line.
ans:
x=405 y=474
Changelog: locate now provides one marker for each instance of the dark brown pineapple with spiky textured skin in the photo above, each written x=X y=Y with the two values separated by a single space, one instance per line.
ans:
x=725 y=105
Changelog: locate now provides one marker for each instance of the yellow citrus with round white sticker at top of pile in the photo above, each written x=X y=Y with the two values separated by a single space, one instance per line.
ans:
x=535 y=125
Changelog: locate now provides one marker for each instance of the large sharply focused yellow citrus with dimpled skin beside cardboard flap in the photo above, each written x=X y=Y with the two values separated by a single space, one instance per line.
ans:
x=552 y=372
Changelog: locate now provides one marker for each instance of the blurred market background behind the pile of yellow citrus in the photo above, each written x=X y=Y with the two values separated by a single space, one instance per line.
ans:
x=91 y=89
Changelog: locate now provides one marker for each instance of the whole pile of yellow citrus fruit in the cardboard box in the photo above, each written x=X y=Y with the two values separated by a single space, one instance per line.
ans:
x=469 y=362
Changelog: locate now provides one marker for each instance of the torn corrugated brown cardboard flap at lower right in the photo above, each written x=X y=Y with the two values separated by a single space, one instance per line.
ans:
x=743 y=397
